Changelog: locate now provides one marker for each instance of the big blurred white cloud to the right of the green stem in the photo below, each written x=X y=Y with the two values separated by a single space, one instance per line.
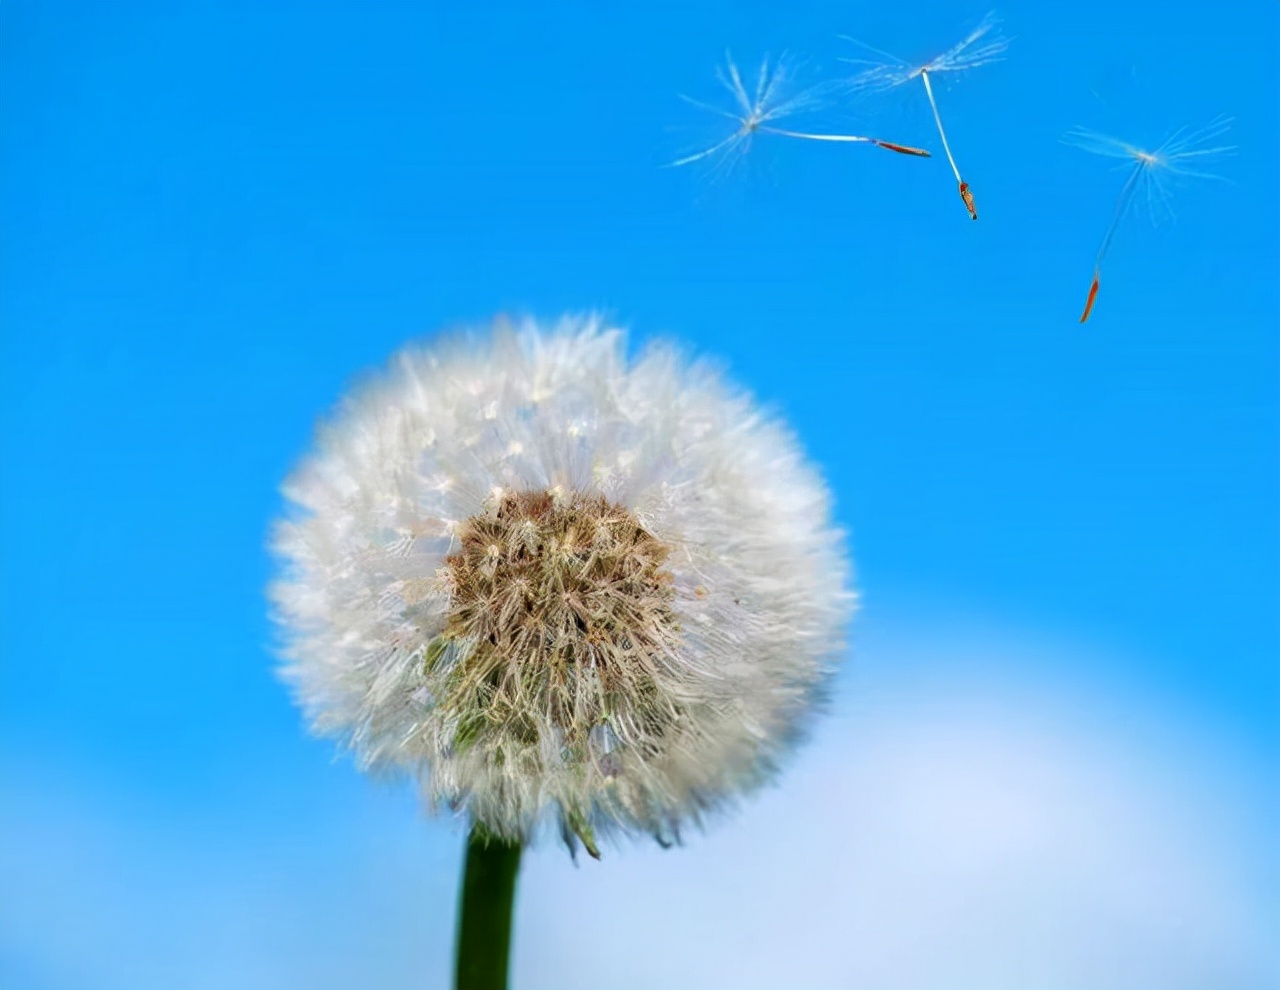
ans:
x=959 y=837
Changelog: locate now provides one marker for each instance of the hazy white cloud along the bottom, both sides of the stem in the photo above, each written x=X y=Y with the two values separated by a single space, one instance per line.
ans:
x=949 y=829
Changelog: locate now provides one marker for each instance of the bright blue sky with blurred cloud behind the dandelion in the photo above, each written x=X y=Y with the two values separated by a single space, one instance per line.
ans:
x=216 y=216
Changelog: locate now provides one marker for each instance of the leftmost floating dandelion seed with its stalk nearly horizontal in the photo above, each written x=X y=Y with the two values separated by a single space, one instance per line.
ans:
x=758 y=113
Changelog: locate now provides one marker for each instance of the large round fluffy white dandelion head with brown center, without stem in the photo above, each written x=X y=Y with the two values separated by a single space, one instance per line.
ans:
x=559 y=586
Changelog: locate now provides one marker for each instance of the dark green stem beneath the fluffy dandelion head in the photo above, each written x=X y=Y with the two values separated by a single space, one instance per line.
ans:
x=484 y=911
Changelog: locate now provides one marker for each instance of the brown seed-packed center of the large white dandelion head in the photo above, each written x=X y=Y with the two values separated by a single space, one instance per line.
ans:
x=564 y=612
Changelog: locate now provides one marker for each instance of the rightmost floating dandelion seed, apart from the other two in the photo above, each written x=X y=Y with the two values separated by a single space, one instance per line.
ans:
x=1182 y=156
